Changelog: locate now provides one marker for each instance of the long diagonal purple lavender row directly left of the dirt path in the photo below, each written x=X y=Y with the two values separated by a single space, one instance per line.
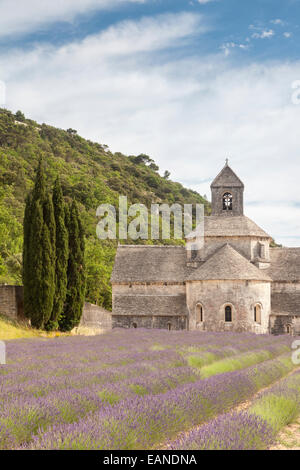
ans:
x=146 y=422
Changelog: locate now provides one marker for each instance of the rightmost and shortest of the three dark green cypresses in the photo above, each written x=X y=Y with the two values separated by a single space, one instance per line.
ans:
x=76 y=271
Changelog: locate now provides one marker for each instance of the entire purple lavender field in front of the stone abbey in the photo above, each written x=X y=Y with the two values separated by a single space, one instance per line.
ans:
x=147 y=389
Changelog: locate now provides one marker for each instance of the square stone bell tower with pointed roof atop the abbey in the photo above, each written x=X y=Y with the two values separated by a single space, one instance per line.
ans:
x=227 y=192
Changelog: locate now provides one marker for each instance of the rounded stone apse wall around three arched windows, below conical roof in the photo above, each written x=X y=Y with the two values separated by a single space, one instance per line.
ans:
x=242 y=296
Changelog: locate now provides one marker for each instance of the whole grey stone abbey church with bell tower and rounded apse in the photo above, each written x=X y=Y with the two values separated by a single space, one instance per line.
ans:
x=235 y=282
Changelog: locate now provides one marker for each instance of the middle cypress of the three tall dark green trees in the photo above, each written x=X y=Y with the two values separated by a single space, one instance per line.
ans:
x=62 y=256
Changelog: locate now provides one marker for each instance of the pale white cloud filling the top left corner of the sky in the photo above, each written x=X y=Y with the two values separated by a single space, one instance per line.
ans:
x=19 y=16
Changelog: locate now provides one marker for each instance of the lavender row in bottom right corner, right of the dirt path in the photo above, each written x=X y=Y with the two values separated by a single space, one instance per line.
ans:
x=254 y=429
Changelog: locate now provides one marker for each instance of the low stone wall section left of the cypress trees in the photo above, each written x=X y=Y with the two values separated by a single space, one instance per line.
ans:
x=11 y=301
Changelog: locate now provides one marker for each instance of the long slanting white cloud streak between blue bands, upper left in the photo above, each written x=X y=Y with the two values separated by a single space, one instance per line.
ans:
x=126 y=38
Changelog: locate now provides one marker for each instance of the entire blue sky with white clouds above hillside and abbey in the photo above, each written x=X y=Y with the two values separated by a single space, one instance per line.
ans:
x=187 y=82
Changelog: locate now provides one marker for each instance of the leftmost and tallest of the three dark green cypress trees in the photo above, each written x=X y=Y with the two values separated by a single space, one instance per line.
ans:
x=39 y=253
